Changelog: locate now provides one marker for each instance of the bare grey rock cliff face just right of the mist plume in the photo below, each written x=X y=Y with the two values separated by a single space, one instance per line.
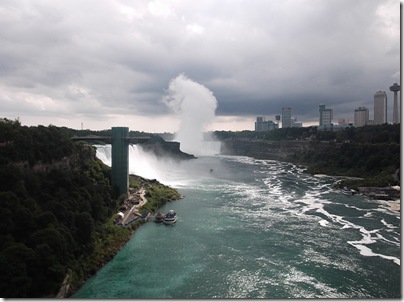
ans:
x=260 y=149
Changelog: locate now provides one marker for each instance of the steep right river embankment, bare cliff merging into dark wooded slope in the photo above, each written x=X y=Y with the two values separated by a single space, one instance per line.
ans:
x=377 y=163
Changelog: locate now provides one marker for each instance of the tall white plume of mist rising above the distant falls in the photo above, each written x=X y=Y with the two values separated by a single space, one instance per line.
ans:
x=195 y=106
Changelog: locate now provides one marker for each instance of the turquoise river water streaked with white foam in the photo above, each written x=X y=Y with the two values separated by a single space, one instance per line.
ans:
x=256 y=229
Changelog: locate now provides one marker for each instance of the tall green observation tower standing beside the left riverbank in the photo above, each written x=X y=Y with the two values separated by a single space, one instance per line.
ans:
x=120 y=160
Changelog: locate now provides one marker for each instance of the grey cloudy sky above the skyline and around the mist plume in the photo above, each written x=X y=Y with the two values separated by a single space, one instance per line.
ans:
x=98 y=64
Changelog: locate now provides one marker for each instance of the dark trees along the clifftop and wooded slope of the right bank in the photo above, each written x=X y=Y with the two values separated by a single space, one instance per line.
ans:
x=369 y=152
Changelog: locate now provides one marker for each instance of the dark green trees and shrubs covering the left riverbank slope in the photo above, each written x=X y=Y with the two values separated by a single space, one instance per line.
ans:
x=56 y=211
